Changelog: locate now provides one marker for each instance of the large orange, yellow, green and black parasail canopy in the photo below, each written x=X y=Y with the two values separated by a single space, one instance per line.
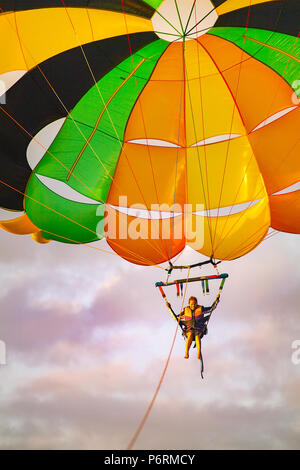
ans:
x=153 y=123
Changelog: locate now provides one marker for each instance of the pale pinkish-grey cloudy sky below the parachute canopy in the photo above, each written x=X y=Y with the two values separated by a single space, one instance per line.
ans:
x=87 y=336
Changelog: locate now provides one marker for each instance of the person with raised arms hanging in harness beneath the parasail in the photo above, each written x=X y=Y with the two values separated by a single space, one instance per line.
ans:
x=193 y=322
